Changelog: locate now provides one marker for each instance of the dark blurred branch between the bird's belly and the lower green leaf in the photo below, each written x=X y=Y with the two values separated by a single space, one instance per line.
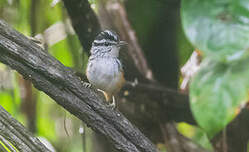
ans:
x=159 y=102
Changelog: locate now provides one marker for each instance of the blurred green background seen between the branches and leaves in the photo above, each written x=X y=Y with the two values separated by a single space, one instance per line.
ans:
x=45 y=118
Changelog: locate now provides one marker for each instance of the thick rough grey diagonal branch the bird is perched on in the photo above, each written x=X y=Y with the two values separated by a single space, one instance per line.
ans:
x=59 y=82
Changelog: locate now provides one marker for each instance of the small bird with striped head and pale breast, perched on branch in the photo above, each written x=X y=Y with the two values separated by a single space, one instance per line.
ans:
x=104 y=69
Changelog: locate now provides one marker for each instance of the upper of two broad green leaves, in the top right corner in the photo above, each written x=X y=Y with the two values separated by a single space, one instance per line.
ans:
x=217 y=27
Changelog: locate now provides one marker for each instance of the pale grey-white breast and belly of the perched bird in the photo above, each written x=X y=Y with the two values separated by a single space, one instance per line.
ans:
x=105 y=73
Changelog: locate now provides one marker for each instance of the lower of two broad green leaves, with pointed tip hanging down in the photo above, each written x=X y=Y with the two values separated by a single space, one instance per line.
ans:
x=217 y=91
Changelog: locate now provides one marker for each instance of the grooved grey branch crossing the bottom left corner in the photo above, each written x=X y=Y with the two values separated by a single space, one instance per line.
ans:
x=12 y=131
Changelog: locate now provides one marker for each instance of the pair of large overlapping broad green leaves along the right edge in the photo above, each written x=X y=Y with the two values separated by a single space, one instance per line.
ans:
x=221 y=30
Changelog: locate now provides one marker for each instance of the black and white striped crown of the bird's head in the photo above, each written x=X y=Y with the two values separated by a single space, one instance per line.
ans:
x=106 y=38
